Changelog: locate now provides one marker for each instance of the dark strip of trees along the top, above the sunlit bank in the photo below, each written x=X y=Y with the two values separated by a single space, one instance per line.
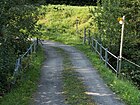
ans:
x=73 y=2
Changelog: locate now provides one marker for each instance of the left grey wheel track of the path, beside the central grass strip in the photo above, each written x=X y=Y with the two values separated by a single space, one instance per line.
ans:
x=50 y=86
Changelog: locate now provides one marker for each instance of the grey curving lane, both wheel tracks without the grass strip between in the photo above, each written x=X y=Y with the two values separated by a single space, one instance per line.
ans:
x=50 y=88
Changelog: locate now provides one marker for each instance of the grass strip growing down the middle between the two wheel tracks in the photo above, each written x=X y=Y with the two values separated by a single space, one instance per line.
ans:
x=74 y=89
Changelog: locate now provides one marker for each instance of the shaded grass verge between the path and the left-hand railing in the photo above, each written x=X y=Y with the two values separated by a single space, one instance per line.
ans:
x=22 y=93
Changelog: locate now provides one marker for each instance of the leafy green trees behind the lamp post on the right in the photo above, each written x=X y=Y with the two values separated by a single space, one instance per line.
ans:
x=109 y=32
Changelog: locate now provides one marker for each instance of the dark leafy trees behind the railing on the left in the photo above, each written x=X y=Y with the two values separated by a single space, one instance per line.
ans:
x=17 y=23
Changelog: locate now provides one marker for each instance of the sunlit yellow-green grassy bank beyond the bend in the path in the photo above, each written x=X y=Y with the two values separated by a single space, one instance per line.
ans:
x=59 y=22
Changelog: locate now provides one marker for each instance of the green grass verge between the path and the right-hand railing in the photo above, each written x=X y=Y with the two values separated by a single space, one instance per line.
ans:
x=122 y=87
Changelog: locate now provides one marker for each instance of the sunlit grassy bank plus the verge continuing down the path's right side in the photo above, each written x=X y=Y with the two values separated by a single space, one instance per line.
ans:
x=60 y=26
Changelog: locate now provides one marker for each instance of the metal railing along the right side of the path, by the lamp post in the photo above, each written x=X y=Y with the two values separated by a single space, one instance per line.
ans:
x=104 y=53
